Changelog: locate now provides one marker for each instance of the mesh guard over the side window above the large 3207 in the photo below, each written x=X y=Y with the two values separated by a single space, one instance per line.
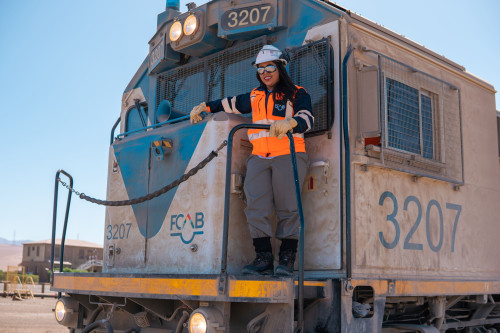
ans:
x=422 y=122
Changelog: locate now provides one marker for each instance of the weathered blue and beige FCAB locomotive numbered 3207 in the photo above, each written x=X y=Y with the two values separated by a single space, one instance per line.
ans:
x=400 y=202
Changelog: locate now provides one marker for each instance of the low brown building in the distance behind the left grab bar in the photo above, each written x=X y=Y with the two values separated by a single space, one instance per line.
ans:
x=77 y=254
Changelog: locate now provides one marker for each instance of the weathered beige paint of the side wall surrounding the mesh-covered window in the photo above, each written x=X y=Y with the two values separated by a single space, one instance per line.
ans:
x=409 y=243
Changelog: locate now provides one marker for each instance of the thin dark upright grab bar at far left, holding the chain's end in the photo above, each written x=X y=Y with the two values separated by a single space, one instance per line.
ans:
x=54 y=219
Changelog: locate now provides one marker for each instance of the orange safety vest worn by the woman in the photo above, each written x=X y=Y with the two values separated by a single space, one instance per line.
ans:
x=263 y=144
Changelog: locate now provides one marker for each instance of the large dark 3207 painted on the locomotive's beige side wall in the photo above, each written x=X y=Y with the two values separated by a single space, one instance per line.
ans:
x=434 y=243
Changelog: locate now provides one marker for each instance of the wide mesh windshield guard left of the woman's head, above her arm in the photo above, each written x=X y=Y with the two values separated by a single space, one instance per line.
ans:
x=226 y=73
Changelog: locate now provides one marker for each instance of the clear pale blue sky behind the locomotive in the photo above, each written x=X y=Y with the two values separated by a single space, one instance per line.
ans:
x=64 y=66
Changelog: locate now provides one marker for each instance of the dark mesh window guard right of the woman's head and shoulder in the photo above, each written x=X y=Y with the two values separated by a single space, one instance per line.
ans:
x=309 y=68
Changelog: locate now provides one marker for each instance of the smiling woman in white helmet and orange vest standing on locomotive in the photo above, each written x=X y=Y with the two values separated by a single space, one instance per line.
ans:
x=269 y=184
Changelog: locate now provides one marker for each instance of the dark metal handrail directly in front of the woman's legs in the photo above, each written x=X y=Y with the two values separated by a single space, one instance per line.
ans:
x=227 y=198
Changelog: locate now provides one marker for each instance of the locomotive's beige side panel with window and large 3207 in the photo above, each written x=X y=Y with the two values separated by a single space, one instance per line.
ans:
x=412 y=222
